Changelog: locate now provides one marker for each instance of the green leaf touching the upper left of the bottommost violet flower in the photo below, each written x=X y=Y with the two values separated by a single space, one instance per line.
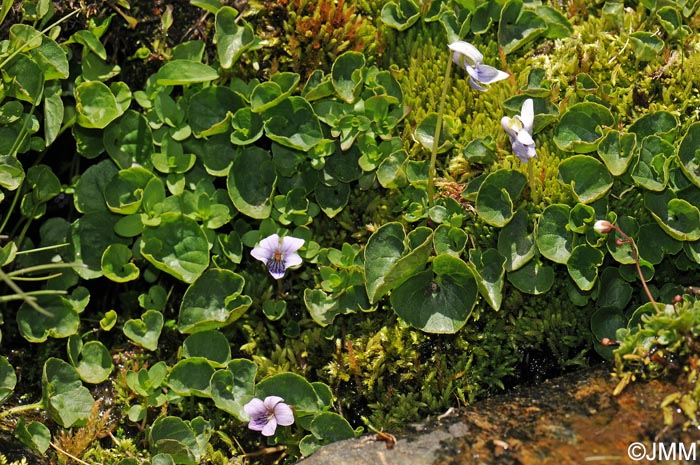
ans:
x=233 y=387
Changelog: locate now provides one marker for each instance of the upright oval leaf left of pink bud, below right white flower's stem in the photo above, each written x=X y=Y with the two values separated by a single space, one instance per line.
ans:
x=553 y=238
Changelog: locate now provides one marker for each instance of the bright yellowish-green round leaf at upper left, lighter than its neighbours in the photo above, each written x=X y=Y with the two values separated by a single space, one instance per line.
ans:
x=96 y=105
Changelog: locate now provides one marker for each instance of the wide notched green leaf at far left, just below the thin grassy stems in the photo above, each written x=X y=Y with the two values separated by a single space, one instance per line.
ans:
x=62 y=319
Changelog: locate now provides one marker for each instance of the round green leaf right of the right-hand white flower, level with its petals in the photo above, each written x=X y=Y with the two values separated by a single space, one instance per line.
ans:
x=580 y=127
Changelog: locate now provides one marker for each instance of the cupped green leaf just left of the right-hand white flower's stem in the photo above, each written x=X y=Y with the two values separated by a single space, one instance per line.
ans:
x=494 y=201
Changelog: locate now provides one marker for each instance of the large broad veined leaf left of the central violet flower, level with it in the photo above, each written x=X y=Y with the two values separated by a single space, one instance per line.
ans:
x=177 y=246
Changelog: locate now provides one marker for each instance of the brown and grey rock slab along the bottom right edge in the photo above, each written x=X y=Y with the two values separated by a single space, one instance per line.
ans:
x=573 y=419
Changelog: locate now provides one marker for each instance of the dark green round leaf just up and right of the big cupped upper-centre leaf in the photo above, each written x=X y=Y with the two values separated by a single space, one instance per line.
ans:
x=293 y=123
